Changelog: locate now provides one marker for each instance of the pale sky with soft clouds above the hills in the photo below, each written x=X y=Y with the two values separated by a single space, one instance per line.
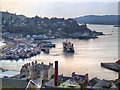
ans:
x=60 y=8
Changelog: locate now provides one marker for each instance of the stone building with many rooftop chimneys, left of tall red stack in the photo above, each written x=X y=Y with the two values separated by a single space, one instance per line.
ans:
x=36 y=70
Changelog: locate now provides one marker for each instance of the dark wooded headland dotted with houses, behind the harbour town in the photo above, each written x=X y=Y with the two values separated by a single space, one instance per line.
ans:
x=56 y=27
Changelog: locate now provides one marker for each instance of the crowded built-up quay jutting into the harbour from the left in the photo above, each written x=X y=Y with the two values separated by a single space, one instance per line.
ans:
x=23 y=48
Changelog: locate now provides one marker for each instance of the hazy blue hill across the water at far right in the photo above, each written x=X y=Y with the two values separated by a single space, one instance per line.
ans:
x=94 y=19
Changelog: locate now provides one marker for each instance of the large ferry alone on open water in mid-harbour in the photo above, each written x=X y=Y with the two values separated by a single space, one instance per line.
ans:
x=68 y=47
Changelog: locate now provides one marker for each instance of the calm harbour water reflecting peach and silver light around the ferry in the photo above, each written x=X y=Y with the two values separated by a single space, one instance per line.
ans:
x=86 y=59
